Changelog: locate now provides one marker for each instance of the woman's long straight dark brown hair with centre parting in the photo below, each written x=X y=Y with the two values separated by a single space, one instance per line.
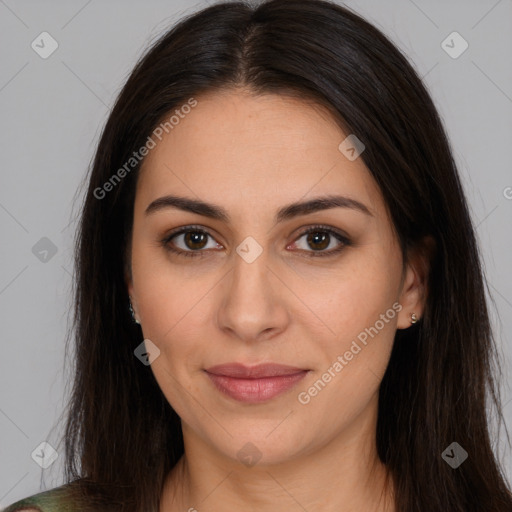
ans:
x=122 y=437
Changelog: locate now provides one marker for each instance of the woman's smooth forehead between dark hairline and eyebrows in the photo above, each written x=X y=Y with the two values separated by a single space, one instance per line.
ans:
x=246 y=151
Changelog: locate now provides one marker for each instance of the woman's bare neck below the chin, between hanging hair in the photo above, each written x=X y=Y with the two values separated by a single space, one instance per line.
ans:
x=344 y=475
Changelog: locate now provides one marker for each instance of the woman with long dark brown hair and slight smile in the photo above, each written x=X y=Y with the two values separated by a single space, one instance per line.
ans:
x=279 y=298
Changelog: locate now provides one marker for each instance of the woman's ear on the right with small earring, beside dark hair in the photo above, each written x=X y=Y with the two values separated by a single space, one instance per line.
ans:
x=414 y=290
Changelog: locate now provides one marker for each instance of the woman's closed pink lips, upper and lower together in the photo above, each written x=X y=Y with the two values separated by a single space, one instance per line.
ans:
x=256 y=383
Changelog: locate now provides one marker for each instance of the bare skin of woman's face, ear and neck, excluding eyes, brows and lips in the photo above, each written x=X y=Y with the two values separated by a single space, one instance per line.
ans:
x=252 y=155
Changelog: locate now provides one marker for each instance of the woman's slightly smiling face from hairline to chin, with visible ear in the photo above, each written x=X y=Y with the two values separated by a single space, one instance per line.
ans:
x=256 y=288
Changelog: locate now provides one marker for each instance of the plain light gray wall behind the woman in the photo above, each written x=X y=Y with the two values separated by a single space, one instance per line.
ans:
x=51 y=114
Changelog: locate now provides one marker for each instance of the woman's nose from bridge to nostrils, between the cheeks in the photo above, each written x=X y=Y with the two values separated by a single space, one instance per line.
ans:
x=253 y=301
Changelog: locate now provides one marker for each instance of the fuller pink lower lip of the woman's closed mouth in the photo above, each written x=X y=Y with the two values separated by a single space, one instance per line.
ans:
x=254 y=391
